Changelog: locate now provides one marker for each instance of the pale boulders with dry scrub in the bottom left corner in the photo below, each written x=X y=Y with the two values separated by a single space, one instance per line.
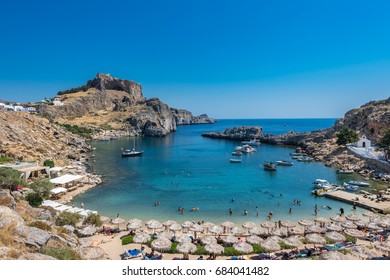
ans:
x=28 y=233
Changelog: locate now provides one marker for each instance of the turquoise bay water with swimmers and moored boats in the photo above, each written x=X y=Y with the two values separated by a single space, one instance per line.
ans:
x=187 y=170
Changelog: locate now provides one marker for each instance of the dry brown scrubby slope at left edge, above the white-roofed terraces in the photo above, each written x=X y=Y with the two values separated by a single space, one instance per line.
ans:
x=27 y=137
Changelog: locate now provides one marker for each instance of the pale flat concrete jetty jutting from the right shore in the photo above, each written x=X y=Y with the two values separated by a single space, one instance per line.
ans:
x=365 y=201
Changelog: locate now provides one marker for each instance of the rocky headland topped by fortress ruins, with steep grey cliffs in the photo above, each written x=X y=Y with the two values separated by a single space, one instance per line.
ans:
x=116 y=104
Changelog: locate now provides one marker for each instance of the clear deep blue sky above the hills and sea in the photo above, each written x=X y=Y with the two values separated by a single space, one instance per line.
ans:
x=230 y=59
